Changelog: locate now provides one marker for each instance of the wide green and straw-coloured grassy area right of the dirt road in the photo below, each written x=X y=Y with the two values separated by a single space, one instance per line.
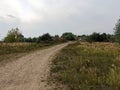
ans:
x=85 y=66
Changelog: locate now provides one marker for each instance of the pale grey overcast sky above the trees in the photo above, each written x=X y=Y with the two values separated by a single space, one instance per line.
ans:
x=35 y=17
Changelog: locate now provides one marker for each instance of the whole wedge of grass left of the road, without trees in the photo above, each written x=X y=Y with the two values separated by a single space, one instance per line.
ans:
x=11 y=51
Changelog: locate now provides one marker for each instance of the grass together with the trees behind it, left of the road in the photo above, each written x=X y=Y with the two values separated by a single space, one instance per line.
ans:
x=15 y=44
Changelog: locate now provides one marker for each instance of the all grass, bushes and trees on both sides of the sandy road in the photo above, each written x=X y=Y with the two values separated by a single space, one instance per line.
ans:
x=92 y=63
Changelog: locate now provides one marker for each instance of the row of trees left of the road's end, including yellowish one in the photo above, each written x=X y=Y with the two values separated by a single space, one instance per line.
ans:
x=14 y=35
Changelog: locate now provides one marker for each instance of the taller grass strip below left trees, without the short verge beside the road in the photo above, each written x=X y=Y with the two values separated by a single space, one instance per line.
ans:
x=8 y=48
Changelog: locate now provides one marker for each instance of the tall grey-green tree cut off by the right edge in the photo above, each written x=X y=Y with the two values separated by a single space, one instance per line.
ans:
x=117 y=31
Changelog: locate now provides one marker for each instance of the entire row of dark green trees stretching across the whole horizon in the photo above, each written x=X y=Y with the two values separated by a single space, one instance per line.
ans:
x=14 y=35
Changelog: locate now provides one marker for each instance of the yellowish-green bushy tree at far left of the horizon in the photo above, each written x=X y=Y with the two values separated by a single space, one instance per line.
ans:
x=14 y=35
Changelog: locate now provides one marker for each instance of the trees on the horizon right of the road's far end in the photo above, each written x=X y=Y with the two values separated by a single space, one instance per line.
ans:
x=97 y=37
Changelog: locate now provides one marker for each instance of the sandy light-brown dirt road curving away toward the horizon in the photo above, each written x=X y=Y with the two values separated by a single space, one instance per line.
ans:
x=29 y=72
